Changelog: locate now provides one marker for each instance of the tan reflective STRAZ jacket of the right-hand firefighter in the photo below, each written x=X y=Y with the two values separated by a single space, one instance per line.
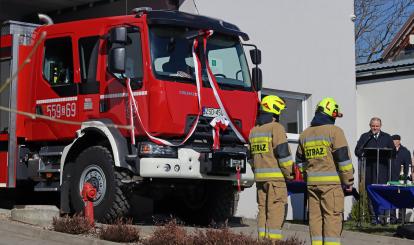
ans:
x=323 y=156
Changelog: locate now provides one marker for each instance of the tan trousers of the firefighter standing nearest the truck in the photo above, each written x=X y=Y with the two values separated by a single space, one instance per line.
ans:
x=271 y=200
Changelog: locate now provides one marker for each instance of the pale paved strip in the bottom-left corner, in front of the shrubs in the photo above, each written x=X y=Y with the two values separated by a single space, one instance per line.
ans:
x=50 y=236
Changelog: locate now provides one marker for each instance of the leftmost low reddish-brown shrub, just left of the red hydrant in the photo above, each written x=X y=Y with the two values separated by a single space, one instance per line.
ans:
x=72 y=225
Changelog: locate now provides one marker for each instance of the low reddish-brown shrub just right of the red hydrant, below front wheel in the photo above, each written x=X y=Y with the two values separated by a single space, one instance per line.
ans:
x=120 y=231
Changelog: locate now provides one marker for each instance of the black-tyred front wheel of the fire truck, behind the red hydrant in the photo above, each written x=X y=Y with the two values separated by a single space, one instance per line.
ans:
x=96 y=166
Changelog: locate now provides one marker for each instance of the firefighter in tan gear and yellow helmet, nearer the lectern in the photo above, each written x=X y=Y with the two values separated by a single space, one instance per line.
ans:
x=323 y=156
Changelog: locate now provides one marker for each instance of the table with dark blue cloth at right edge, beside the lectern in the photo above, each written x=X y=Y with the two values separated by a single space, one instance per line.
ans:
x=385 y=197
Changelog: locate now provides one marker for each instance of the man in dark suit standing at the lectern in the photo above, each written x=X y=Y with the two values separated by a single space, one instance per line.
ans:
x=374 y=138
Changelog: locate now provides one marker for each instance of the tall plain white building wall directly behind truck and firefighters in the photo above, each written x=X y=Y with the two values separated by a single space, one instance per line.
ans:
x=307 y=47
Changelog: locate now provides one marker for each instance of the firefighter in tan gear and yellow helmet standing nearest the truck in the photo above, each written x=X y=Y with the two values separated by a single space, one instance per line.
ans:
x=272 y=164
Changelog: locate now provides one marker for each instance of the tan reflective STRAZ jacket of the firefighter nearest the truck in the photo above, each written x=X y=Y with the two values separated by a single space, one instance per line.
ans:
x=272 y=160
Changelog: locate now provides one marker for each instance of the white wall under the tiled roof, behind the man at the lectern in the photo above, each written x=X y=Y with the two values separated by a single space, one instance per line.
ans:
x=390 y=99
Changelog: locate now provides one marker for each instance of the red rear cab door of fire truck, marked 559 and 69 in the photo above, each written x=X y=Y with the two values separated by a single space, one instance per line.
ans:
x=56 y=89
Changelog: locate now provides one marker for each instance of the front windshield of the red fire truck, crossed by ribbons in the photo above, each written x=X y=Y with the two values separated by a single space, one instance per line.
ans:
x=172 y=59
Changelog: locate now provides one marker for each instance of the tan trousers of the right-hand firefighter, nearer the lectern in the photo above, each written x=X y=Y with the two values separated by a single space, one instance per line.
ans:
x=326 y=208
